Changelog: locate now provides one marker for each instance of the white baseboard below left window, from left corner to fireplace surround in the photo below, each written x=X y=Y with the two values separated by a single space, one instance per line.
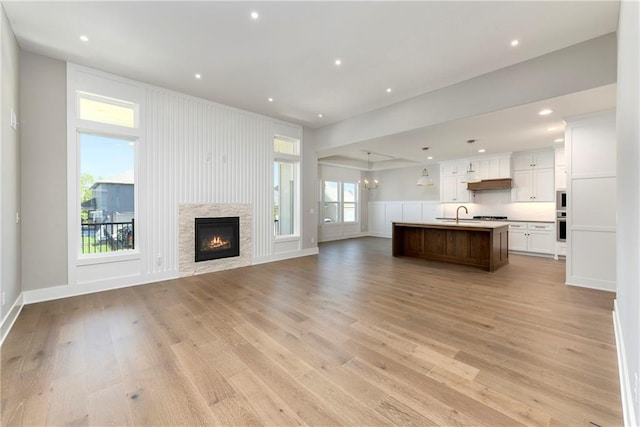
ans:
x=65 y=291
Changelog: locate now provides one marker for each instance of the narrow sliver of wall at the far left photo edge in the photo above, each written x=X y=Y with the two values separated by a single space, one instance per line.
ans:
x=10 y=280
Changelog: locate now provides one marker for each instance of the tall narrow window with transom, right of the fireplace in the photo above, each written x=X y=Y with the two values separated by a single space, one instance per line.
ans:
x=286 y=170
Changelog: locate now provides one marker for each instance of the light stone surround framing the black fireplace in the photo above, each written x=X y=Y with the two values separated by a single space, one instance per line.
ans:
x=188 y=212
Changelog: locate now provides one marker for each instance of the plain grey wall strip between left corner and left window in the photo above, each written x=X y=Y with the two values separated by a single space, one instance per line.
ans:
x=43 y=170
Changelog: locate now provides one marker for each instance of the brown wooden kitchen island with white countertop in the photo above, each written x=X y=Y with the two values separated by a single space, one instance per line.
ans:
x=479 y=243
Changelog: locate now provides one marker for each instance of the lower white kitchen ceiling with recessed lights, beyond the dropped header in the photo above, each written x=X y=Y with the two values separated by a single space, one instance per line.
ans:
x=515 y=129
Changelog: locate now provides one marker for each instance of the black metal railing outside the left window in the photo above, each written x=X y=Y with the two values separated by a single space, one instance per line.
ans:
x=107 y=236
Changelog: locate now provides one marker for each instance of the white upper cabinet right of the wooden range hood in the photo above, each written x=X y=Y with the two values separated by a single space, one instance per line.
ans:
x=533 y=176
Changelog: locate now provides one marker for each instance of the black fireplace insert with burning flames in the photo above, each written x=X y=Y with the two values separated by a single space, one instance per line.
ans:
x=217 y=238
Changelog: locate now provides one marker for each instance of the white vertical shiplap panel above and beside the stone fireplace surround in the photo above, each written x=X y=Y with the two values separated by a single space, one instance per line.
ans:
x=199 y=152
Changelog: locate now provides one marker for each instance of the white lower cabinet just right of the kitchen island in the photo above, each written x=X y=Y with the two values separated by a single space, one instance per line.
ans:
x=535 y=237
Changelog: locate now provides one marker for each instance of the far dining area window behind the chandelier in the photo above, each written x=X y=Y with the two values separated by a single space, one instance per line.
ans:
x=339 y=202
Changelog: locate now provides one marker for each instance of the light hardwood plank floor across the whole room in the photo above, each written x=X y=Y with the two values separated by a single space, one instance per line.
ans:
x=350 y=337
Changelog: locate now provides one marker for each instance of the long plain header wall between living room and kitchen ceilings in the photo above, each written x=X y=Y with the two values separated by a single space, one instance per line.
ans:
x=579 y=67
